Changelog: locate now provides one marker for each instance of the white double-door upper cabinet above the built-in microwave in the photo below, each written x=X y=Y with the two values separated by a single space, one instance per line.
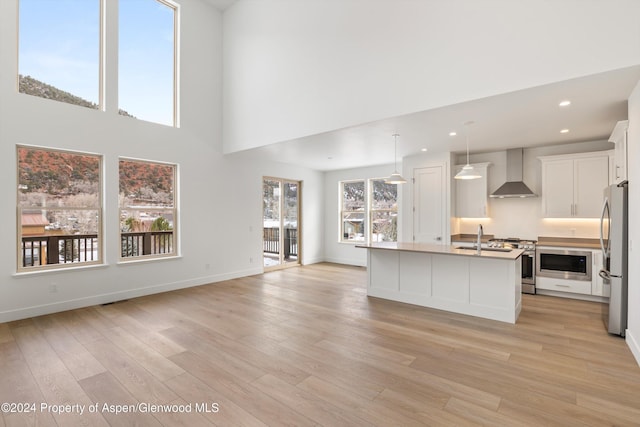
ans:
x=573 y=184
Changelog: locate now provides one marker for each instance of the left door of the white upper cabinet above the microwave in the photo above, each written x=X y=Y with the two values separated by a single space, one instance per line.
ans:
x=557 y=189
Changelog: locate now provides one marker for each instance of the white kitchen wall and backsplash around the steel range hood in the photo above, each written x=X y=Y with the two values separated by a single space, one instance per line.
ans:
x=523 y=217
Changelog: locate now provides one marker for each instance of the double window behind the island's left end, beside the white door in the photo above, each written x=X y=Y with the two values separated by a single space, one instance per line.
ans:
x=368 y=211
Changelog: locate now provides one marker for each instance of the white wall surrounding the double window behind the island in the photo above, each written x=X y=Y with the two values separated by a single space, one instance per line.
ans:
x=336 y=251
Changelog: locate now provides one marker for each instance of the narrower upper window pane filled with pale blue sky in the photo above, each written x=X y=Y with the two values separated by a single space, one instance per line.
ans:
x=146 y=60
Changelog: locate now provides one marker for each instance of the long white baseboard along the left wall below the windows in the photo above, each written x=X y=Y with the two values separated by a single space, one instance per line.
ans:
x=39 y=310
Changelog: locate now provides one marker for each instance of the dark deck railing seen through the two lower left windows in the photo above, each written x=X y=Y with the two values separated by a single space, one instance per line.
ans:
x=64 y=249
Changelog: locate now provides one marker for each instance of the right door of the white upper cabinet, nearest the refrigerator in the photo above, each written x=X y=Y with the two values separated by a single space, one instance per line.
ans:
x=591 y=177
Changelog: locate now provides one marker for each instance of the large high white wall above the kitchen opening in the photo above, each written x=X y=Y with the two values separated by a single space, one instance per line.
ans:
x=295 y=68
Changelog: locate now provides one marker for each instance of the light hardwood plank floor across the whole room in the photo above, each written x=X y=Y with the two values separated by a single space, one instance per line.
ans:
x=305 y=346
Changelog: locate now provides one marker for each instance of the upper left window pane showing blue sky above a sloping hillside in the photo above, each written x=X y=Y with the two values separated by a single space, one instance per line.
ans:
x=59 y=50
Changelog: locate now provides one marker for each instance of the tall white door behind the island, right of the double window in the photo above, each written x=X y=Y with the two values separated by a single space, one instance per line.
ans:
x=429 y=202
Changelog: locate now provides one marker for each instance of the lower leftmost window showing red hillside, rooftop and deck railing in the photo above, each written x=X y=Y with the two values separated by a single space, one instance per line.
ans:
x=59 y=208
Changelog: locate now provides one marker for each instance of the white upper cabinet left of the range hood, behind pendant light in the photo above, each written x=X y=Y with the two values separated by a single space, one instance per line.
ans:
x=471 y=194
